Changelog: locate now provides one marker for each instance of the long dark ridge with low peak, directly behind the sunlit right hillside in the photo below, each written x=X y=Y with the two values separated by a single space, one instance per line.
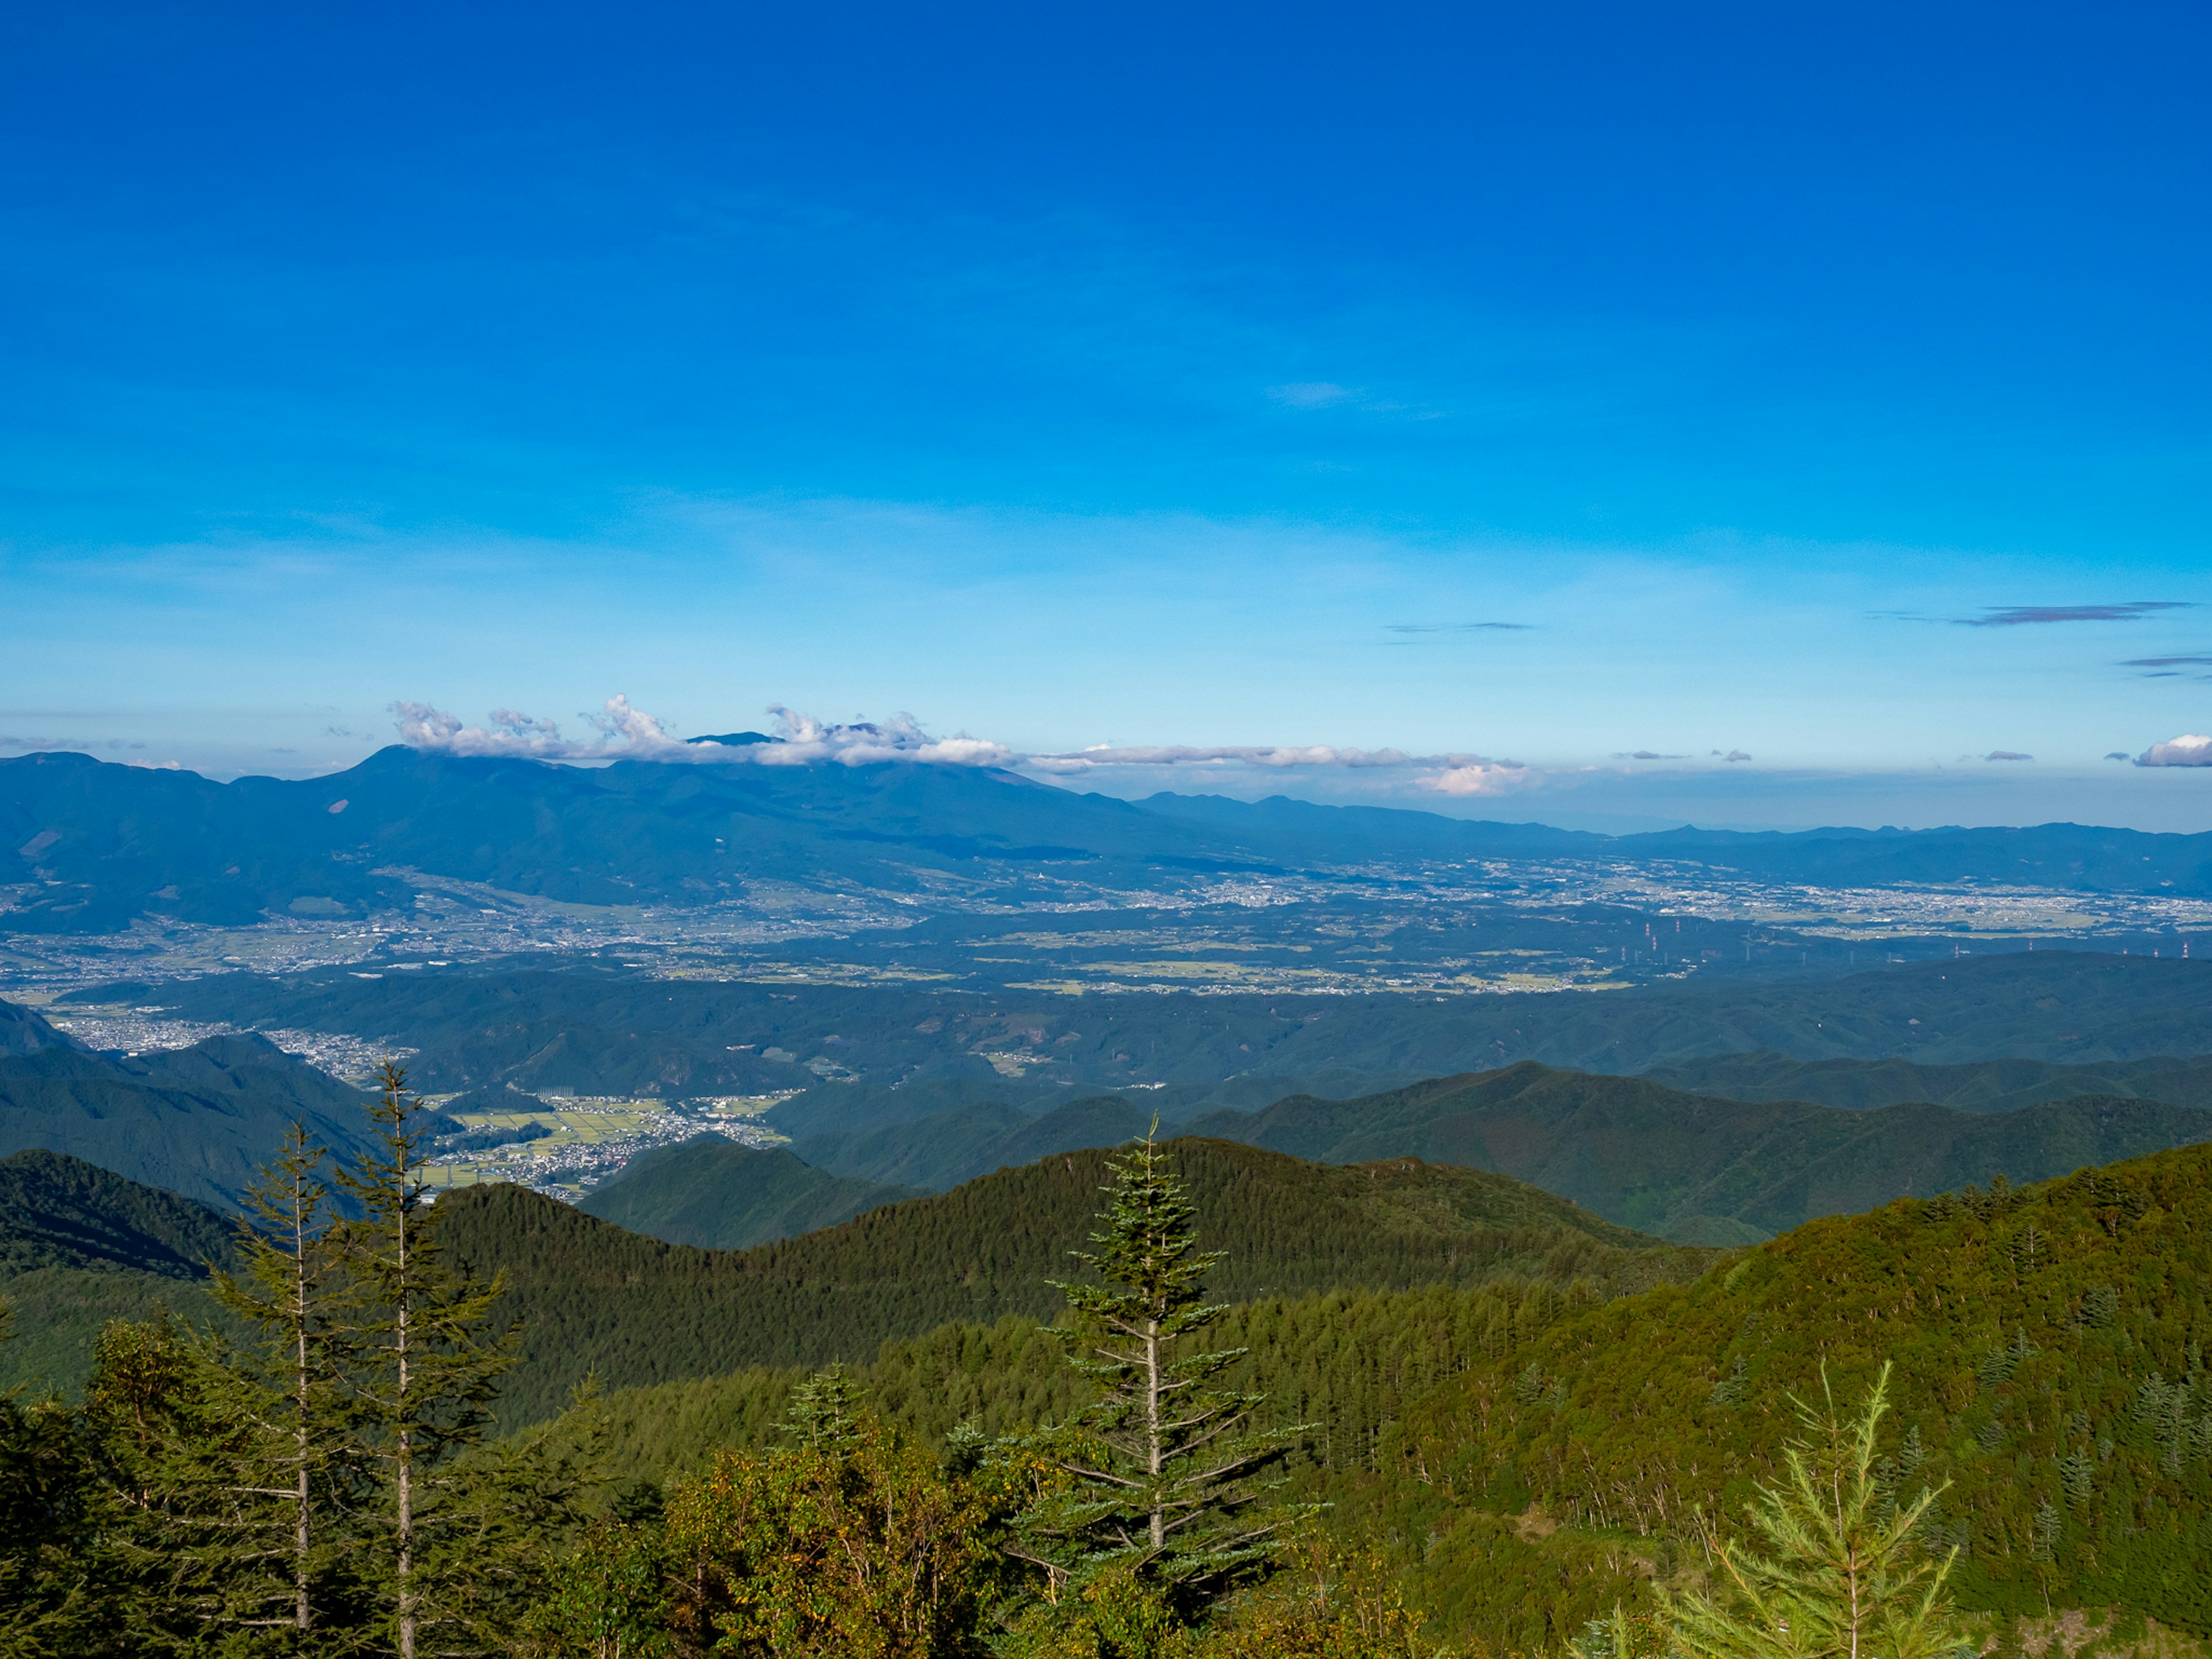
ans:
x=1689 y=1165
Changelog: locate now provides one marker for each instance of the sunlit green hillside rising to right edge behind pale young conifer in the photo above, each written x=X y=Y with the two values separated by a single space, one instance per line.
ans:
x=2049 y=1348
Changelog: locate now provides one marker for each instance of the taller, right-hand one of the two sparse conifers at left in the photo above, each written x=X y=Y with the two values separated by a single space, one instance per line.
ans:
x=426 y=1373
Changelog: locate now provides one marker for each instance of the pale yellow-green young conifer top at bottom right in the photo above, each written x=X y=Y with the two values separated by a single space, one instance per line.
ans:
x=1839 y=1578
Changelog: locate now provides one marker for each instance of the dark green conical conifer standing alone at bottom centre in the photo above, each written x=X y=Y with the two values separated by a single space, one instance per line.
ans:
x=1156 y=1485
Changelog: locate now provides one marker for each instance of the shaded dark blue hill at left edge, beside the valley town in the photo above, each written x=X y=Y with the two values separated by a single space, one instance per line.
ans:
x=189 y=1120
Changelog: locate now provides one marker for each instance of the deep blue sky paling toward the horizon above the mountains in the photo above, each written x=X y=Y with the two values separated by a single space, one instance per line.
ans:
x=1138 y=379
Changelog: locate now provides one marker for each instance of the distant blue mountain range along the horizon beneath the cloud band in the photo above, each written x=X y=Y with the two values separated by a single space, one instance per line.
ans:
x=98 y=846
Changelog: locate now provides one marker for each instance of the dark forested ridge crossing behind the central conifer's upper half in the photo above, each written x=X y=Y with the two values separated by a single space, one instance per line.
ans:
x=629 y=1311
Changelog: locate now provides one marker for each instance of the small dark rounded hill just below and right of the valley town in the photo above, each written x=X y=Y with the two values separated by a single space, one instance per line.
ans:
x=720 y=1196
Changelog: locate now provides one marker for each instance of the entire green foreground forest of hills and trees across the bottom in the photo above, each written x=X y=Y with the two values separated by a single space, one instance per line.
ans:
x=1185 y=1399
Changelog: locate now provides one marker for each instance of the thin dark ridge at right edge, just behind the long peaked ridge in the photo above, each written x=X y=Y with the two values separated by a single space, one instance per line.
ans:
x=1981 y=1087
